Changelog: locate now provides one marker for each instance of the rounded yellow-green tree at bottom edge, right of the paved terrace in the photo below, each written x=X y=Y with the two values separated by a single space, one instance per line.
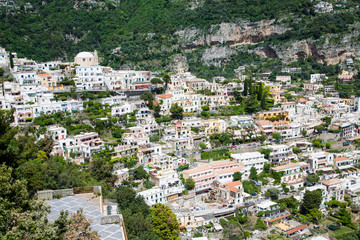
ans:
x=164 y=222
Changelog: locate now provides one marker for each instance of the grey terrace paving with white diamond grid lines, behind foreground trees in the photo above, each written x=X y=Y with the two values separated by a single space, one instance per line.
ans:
x=91 y=209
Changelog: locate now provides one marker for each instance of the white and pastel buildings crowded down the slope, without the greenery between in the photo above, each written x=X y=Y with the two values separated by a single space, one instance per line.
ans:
x=32 y=93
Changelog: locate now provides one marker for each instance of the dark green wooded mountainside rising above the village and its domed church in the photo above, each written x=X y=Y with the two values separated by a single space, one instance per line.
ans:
x=144 y=32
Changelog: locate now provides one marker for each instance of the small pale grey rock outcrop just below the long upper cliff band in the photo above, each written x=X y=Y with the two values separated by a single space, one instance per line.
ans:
x=216 y=55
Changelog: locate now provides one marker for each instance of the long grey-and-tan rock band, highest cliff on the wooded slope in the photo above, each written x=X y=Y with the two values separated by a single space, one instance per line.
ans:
x=229 y=33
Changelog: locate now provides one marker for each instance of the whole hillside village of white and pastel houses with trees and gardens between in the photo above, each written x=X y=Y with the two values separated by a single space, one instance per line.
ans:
x=256 y=157
